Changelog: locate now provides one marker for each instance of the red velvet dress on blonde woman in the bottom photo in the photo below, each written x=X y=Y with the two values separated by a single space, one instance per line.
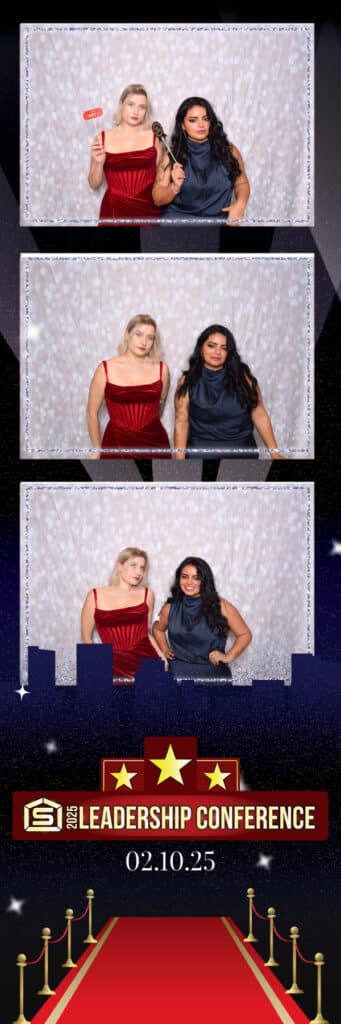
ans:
x=127 y=631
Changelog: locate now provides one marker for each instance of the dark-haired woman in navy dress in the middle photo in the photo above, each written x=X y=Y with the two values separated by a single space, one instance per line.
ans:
x=219 y=404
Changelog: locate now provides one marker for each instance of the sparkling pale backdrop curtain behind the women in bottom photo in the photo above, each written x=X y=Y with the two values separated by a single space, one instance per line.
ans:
x=255 y=537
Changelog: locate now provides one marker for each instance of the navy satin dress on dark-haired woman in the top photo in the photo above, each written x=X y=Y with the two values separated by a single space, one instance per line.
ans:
x=207 y=188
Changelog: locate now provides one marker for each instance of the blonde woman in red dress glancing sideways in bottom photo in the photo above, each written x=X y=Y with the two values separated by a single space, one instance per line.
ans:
x=122 y=615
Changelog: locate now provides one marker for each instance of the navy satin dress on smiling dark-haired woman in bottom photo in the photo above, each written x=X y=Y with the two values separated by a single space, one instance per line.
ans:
x=192 y=639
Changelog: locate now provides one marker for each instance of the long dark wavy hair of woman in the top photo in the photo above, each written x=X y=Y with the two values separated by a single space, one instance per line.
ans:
x=221 y=146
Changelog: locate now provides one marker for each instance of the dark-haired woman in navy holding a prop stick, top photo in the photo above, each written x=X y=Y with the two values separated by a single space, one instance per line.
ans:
x=208 y=179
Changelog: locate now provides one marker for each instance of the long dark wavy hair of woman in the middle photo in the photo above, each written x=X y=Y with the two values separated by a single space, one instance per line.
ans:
x=239 y=380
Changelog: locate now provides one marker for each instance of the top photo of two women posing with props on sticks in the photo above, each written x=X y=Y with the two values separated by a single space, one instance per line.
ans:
x=173 y=124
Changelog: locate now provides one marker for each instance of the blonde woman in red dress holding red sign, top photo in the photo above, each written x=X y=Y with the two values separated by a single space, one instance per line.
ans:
x=127 y=156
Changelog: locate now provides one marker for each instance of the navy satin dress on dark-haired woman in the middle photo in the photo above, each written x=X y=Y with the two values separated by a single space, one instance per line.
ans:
x=217 y=418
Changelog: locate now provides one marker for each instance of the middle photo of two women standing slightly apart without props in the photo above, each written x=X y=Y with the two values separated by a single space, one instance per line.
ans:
x=167 y=357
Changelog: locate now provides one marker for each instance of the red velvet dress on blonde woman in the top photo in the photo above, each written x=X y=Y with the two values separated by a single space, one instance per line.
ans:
x=130 y=180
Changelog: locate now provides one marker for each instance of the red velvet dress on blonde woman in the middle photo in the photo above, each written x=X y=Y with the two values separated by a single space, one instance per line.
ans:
x=135 y=421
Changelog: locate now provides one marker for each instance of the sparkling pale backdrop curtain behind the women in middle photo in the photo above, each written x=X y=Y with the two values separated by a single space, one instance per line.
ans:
x=75 y=310
